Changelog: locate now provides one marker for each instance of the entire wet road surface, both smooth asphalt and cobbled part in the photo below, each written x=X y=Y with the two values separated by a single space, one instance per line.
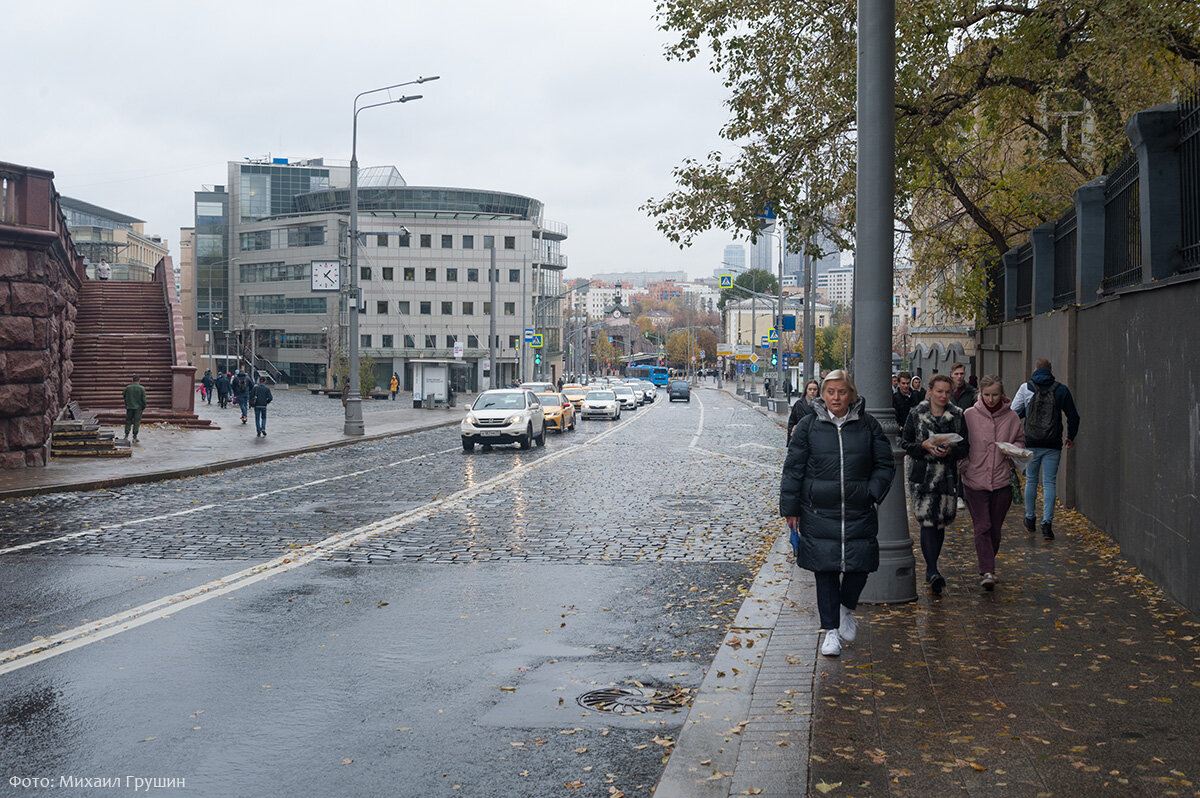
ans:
x=437 y=644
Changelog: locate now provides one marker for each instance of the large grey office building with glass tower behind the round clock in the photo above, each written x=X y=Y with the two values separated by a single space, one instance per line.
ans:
x=423 y=261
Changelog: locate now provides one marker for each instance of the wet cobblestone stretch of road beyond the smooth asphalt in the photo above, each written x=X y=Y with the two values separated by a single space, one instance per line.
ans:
x=646 y=494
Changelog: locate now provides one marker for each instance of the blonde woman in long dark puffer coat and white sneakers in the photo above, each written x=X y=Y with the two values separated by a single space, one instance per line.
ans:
x=839 y=469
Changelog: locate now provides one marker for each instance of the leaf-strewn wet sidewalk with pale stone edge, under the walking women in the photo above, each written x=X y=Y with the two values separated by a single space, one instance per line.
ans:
x=1076 y=676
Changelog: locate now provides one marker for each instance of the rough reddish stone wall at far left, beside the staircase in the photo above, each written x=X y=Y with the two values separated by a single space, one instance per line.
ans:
x=40 y=280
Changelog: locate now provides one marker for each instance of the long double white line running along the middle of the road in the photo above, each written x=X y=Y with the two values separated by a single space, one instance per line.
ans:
x=44 y=649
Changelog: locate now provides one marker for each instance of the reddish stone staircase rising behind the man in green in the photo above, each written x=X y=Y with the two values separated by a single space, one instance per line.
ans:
x=124 y=329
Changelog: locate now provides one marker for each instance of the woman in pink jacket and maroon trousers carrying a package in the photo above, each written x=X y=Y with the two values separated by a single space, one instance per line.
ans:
x=987 y=471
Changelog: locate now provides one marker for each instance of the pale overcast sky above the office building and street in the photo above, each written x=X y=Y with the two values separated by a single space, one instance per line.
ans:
x=135 y=106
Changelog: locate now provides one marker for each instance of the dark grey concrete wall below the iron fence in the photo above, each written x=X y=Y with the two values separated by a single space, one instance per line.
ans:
x=1132 y=364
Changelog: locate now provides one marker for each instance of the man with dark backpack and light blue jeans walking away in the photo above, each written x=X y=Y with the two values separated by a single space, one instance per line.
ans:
x=1042 y=404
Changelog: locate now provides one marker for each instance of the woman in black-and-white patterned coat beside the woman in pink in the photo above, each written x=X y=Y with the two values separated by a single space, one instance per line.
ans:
x=933 y=478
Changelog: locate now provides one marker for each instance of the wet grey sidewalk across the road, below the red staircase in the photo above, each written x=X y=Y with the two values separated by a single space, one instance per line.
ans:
x=297 y=423
